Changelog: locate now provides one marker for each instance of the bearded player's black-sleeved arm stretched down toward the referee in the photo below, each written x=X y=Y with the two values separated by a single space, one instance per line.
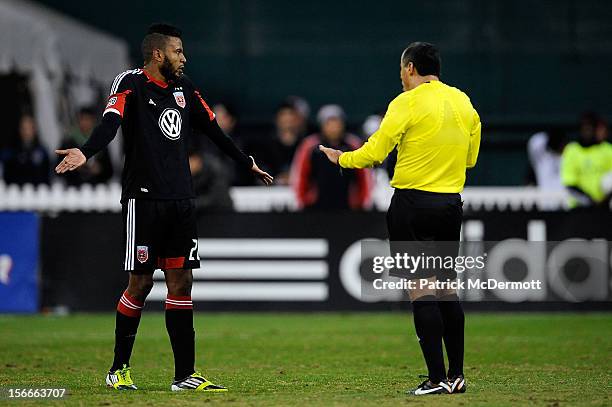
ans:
x=203 y=119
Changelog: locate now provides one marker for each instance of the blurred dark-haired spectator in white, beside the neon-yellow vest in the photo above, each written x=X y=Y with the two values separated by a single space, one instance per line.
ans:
x=544 y=150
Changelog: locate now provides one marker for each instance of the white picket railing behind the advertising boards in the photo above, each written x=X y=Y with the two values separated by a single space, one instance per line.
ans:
x=105 y=198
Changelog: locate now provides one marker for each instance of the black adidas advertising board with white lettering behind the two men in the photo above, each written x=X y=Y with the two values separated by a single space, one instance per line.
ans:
x=314 y=261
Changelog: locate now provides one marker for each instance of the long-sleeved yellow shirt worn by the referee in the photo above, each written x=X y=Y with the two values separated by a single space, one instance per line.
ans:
x=437 y=133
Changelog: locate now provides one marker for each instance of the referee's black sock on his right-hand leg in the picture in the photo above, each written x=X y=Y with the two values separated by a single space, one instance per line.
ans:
x=454 y=323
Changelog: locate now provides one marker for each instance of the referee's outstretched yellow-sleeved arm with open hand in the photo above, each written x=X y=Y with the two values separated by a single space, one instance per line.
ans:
x=380 y=144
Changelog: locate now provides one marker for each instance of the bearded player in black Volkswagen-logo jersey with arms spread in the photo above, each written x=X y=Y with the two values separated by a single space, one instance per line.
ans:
x=156 y=107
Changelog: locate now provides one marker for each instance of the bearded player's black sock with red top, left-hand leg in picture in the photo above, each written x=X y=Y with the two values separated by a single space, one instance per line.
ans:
x=126 y=326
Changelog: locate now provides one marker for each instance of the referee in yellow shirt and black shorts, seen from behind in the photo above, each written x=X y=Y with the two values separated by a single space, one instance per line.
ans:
x=437 y=134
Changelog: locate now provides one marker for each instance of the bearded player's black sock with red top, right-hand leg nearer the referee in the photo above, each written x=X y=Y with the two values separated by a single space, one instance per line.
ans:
x=179 y=323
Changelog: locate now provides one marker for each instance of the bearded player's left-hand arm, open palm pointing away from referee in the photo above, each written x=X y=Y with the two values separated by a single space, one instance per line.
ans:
x=103 y=133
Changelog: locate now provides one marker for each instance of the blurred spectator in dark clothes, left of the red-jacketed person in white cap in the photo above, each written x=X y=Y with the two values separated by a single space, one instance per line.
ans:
x=276 y=153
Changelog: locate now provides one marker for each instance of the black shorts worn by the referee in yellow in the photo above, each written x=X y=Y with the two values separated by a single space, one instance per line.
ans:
x=428 y=224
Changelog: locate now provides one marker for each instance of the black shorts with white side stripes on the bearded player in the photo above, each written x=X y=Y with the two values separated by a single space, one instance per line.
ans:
x=159 y=234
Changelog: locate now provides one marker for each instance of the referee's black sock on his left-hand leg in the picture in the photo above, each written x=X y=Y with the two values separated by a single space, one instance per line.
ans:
x=429 y=328
